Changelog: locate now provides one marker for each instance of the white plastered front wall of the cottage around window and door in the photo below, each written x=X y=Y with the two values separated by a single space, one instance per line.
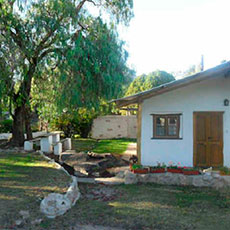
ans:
x=204 y=96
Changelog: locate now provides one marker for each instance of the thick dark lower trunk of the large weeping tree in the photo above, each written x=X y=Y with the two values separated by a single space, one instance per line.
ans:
x=18 y=137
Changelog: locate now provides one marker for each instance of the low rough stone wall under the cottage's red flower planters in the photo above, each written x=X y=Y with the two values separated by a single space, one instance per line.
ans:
x=208 y=179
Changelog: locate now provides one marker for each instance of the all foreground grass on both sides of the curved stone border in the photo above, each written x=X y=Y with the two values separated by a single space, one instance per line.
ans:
x=26 y=178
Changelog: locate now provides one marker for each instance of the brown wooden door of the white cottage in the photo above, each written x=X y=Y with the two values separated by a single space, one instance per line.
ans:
x=208 y=139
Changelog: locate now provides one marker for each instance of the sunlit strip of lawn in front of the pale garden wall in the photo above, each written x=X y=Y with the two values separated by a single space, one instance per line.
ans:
x=117 y=146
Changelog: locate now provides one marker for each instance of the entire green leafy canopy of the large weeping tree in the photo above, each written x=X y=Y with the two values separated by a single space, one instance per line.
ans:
x=76 y=57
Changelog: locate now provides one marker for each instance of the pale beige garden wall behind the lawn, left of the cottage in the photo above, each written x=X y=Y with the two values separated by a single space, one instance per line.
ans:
x=114 y=126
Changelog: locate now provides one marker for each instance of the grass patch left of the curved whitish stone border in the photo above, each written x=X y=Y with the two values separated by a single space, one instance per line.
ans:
x=25 y=178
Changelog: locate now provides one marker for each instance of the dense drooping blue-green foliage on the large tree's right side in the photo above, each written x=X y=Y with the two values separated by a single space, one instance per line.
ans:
x=95 y=68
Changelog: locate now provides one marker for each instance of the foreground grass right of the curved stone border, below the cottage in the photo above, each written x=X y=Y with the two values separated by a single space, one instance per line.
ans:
x=151 y=206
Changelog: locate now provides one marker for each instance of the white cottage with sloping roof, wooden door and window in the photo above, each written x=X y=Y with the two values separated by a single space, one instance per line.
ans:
x=186 y=121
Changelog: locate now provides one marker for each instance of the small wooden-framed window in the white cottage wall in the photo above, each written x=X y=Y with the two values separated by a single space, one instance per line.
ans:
x=166 y=126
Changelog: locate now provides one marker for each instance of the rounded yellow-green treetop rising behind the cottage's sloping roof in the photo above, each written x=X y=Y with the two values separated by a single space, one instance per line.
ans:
x=146 y=82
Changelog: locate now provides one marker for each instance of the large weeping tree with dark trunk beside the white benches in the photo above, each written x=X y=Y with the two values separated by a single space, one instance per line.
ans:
x=42 y=35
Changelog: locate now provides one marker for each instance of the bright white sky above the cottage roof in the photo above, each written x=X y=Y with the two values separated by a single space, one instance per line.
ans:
x=172 y=35
